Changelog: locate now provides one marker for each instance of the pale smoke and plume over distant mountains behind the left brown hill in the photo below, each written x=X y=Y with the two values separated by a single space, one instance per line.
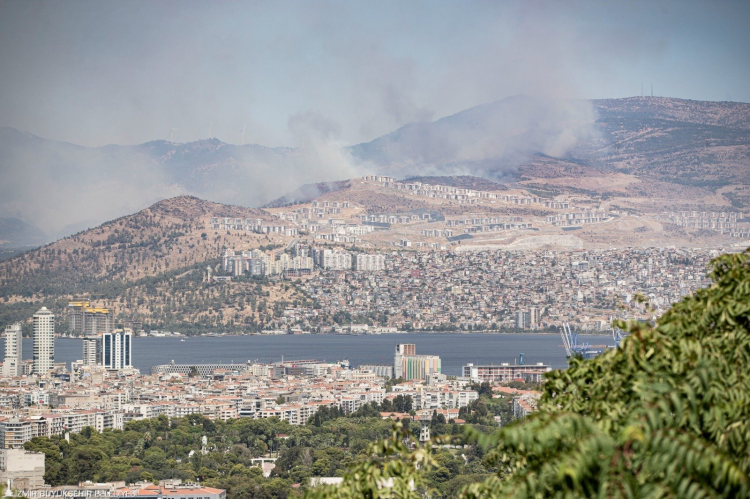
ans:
x=62 y=188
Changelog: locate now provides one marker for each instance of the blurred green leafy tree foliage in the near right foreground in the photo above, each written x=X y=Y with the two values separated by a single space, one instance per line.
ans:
x=665 y=415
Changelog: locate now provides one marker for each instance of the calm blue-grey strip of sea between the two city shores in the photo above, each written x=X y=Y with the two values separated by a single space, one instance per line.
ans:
x=455 y=350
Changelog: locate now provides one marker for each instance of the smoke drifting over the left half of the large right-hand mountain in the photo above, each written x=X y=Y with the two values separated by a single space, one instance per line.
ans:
x=490 y=140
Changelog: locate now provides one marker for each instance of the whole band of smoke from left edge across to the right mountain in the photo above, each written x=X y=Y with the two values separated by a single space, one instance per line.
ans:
x=62 y=188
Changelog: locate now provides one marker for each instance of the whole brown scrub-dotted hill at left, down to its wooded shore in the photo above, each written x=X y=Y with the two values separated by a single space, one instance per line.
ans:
x=149 y=266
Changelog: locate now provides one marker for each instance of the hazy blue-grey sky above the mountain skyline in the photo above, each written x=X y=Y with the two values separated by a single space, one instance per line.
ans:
x=94 y=73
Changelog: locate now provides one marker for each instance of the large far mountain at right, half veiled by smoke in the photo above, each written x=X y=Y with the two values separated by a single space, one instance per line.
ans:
x=695 y=143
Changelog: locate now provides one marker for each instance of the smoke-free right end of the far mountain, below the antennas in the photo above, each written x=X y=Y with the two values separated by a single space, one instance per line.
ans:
x=674 y=140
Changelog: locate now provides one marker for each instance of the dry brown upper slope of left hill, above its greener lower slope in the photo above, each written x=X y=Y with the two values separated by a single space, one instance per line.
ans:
x=169 y=235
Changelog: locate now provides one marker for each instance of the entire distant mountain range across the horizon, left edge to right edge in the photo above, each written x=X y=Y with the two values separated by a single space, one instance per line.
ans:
x=697 y=143
